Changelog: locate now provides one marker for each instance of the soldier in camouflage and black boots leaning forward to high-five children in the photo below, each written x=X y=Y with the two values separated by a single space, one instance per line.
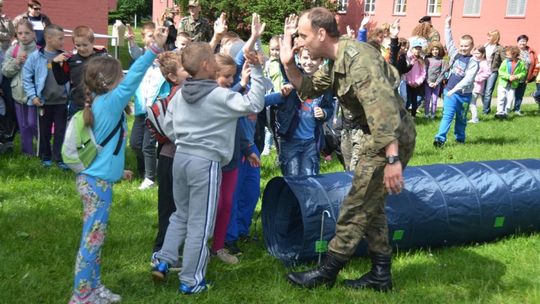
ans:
x=365 y=84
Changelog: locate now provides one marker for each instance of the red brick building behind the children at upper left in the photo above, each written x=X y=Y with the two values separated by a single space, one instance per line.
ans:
x=70 y=14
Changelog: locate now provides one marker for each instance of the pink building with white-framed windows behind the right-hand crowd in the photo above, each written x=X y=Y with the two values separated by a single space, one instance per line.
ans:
x=475 y=17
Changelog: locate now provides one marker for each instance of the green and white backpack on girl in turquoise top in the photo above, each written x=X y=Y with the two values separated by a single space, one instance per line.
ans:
x=80 y=148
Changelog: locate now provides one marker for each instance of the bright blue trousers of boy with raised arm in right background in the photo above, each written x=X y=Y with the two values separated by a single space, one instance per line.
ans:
x=456 y=105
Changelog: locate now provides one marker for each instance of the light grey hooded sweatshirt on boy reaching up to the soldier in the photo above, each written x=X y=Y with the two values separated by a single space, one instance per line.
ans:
x=201 y=118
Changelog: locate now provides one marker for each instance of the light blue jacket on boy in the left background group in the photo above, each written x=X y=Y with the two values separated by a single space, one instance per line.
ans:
x=35 y=75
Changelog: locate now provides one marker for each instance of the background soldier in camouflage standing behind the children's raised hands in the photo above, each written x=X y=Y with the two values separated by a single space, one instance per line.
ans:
x=196 y=26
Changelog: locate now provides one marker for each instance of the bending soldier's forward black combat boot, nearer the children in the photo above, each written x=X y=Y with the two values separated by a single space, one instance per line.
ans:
x=323 y=275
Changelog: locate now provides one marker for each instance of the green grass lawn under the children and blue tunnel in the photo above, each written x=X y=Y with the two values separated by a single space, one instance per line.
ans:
x=40 y=224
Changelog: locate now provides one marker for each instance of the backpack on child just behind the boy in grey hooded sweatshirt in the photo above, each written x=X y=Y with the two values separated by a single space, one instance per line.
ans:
x=155 y=117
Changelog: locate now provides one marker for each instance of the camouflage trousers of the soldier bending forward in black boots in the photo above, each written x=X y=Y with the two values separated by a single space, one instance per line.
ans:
x=362 y=211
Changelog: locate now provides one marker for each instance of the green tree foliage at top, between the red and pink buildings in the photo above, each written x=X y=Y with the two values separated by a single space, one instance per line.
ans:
x=273 y=13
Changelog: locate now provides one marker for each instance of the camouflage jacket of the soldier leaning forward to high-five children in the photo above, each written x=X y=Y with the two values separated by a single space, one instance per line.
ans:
x=365 y=85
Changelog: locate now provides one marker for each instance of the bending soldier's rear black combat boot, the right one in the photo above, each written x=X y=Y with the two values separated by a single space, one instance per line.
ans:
x=378 y=278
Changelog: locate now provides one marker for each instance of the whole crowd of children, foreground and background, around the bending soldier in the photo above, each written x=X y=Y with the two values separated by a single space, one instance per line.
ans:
x=207 y=167
